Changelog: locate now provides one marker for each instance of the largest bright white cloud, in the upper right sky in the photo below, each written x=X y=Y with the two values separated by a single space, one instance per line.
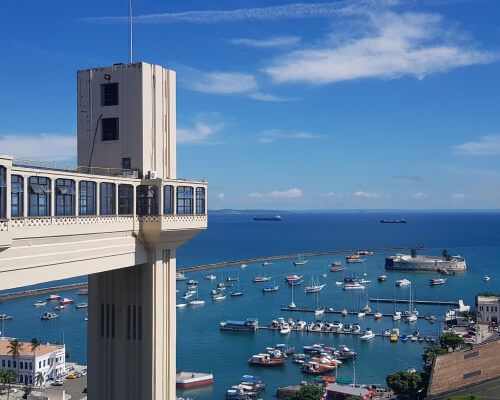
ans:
x=383 y=45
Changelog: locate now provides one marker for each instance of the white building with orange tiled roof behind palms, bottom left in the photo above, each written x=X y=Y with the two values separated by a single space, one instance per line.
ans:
x=48 y=359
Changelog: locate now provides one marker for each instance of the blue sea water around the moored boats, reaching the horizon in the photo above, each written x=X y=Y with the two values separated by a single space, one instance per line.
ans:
x=202 y=347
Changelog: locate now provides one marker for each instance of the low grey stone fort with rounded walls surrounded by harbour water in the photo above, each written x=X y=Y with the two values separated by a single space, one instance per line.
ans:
x=407 y=262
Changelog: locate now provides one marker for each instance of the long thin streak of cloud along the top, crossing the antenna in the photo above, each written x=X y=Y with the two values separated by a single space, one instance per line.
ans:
x=289 y=11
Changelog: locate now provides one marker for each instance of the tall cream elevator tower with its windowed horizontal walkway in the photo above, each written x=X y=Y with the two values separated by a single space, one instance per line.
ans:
x=118 y=217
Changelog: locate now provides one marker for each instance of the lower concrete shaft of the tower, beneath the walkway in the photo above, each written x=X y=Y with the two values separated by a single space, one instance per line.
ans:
x=132 y=331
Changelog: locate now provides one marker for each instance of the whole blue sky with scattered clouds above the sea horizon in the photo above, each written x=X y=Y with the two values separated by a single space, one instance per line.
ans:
x=320 y=105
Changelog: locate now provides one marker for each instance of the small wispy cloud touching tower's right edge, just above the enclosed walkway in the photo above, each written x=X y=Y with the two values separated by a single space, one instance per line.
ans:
x=205 y=127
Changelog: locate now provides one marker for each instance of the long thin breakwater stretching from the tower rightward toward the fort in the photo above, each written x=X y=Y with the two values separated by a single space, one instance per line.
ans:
x=291 y=256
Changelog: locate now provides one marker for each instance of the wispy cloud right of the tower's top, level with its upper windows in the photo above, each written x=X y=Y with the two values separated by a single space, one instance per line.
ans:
x=224 y=83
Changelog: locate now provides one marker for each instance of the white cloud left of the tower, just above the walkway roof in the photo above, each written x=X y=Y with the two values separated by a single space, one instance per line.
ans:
x=44 y=146
